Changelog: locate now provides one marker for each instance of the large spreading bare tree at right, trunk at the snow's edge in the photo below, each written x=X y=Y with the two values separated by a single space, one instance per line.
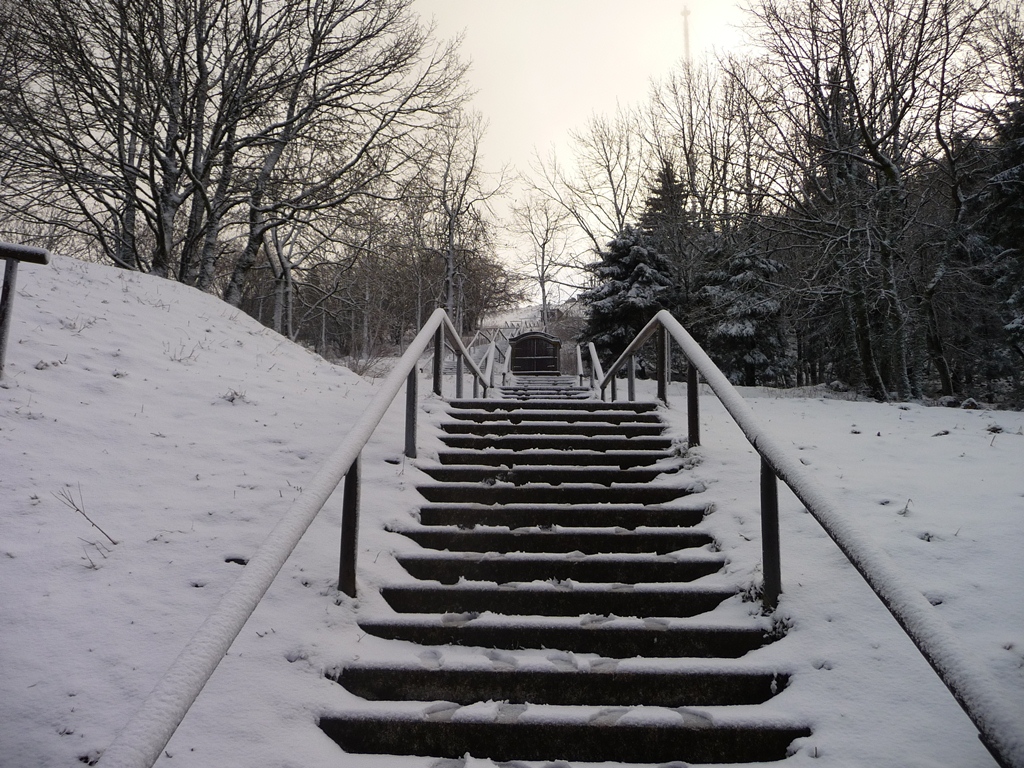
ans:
x=856 y=91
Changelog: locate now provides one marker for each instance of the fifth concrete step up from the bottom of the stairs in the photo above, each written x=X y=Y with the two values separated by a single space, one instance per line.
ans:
x=451 y=568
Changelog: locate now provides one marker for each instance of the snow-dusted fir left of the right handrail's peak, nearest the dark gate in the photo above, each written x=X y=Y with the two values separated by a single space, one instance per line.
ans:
x=632 y=283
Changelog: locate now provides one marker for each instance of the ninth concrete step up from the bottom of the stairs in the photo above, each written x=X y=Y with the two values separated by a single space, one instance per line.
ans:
x=557 y=476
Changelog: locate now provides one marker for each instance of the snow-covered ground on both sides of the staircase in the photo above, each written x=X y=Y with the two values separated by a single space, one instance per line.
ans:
x=185 y=431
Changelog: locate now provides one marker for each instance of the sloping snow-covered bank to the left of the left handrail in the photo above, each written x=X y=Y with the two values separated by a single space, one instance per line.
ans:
x=184 y=430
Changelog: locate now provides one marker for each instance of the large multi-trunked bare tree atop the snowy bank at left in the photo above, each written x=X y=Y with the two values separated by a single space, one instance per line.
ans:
x=175 y=135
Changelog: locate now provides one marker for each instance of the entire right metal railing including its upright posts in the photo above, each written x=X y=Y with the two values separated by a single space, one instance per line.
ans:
x=970 y=684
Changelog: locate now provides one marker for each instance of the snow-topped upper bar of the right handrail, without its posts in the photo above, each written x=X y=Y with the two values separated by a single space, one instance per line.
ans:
x=971 y=685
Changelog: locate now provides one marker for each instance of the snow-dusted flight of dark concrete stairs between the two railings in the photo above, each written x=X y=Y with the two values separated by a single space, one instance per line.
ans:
x=565 y=600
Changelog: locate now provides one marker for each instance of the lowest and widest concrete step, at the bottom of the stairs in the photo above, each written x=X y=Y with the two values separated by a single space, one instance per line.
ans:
x=692 y=739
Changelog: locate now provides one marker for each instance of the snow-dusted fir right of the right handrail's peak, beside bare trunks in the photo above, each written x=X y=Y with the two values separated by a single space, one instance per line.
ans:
x=745 y=329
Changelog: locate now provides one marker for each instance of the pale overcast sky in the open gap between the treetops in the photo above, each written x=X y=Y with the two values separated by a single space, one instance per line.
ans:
x=541 y=68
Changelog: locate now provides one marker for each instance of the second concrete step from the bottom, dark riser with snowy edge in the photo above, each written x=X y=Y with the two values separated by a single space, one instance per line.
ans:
x=729 y=685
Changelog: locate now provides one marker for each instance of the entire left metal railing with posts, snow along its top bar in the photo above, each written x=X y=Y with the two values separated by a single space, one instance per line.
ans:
x=140 y=744
